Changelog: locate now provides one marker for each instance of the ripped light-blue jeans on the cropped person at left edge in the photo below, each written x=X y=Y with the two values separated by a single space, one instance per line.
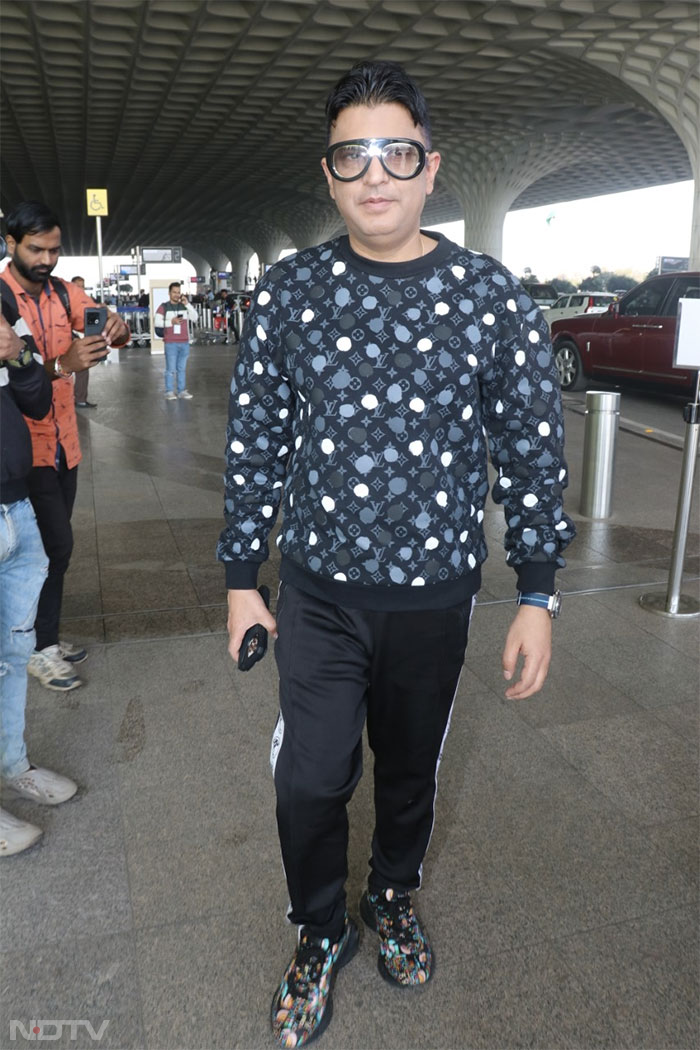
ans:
x=24 y=569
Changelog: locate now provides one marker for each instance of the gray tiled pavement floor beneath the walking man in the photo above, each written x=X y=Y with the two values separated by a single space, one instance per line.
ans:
x=561 y=887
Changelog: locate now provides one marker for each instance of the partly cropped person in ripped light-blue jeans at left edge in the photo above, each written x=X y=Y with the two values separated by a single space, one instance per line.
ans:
x=26 y=390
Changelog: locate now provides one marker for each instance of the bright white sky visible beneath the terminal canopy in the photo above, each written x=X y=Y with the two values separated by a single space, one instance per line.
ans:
x=624 y=233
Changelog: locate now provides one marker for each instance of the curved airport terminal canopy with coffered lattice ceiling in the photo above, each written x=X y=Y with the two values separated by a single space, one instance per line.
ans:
x=204 y=119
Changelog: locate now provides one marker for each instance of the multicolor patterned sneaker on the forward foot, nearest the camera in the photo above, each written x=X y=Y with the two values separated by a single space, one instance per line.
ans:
x=303 y=1009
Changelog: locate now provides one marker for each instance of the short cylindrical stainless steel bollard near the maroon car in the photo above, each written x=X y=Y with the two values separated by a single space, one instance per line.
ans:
x=603 y=411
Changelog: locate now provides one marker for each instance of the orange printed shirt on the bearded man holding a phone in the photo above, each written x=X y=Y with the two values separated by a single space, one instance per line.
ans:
x=49 y=323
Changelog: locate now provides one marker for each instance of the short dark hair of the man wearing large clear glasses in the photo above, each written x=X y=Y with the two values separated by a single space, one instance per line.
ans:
x=373 y=83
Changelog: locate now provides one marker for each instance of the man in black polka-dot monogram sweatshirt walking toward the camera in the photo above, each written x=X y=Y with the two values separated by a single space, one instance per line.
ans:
x=371 y=369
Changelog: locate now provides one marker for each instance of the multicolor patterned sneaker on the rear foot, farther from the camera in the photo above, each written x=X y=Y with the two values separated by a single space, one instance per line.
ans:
x=406 y=957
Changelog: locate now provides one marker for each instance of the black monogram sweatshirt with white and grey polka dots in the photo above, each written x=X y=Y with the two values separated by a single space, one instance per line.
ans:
x=364 y=397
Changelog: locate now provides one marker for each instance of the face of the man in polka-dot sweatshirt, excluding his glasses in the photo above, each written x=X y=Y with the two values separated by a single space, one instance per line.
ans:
x=381 y=214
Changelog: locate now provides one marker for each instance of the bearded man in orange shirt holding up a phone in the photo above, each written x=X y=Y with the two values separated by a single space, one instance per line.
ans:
x=52 y=312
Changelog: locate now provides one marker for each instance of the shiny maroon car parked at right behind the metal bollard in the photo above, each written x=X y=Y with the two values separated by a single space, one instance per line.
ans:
x=634 y=340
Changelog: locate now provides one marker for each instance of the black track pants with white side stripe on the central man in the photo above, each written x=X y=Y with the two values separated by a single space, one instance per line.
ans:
x=338 y=666
